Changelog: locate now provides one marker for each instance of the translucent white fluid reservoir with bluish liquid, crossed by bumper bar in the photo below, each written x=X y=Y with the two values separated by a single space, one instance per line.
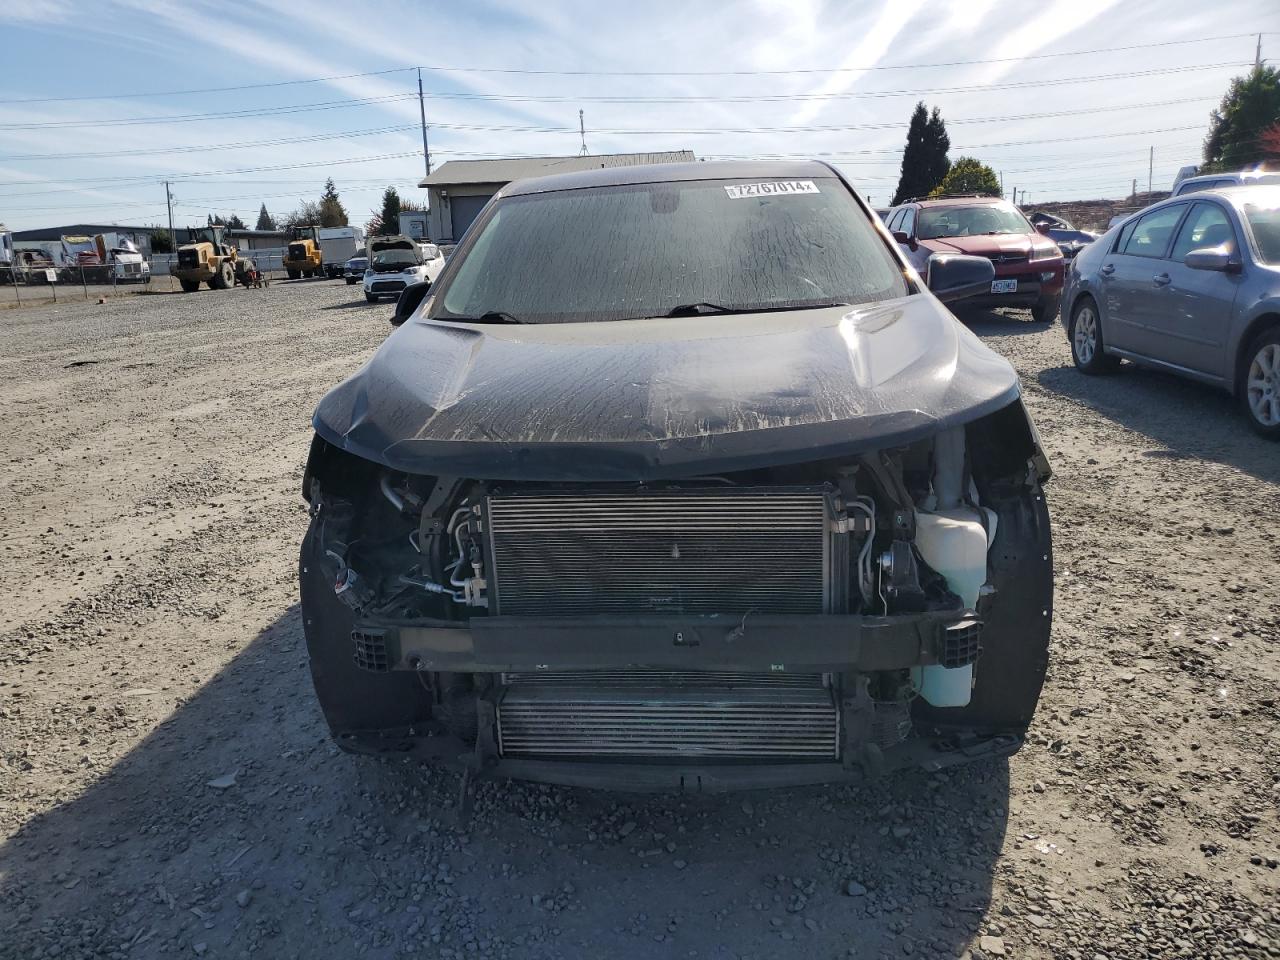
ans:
x=953 y=542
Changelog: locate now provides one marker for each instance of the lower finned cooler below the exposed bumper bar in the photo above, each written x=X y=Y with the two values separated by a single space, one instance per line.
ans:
x=669 y=716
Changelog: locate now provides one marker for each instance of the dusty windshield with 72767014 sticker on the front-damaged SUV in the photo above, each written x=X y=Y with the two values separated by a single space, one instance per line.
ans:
x=653 y=250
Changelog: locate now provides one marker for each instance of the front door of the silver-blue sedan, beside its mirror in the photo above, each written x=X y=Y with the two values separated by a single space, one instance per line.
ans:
x=1194 y=321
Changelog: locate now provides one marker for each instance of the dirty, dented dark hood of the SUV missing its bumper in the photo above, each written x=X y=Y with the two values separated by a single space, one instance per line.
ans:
x=641 y=400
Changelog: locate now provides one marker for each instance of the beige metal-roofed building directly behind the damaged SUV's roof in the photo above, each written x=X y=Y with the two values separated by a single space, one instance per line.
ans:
x=458 y=191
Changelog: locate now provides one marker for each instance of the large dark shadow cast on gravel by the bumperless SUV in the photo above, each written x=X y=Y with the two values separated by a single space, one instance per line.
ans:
x=308 y=852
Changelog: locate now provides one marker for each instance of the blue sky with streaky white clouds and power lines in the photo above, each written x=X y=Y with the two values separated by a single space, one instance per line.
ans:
x=102 y=103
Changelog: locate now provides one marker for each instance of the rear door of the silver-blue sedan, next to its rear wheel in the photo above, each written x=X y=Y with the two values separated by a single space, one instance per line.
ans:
x=1128 y=277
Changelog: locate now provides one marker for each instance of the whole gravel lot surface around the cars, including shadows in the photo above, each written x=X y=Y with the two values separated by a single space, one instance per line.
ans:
x=170 y=790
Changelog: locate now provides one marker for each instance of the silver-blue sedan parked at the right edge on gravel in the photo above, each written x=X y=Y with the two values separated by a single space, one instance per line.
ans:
x=1191 y=286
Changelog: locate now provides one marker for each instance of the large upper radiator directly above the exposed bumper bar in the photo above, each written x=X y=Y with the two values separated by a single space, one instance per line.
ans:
x=729 y=551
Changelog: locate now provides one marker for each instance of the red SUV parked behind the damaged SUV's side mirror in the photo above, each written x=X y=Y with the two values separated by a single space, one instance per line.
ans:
x=1028 y=264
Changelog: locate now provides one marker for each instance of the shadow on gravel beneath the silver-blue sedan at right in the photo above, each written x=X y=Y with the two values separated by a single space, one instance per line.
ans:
x=1188 y=418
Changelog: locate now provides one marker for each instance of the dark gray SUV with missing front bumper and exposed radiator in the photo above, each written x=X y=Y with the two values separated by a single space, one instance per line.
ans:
x=680 y=478
